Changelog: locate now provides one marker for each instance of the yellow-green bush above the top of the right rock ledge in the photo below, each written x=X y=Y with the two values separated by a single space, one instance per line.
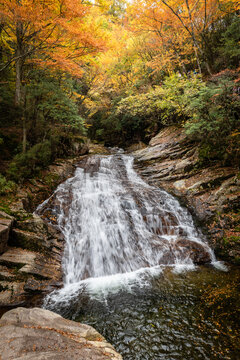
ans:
x=141 y=116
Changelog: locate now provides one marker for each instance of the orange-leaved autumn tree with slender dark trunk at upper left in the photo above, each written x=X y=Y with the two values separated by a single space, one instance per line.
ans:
x=54 y=34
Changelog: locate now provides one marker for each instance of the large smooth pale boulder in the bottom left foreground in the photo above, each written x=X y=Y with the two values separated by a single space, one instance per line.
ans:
x=41 y=334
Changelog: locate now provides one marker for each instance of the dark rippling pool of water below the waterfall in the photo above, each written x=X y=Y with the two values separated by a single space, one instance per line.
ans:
x=193 y=315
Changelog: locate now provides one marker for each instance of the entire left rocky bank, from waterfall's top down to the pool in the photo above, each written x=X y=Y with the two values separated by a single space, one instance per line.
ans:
x=31 y=248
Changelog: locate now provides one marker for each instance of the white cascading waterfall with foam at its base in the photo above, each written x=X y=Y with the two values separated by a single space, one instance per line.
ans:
x=119 y=231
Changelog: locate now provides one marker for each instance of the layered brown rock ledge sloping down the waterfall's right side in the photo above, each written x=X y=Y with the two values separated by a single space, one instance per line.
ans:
x=211 y=193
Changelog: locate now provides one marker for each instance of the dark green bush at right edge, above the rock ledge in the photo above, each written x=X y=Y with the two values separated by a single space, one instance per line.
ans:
x=215 y=119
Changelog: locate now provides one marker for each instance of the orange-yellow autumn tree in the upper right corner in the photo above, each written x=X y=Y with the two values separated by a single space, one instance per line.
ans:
x=178 y=29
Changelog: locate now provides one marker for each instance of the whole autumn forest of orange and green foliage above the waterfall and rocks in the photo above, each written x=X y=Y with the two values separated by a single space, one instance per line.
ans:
x=117 y=72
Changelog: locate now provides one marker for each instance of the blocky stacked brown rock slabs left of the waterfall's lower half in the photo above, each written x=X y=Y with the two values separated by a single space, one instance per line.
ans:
x=31 y=264
